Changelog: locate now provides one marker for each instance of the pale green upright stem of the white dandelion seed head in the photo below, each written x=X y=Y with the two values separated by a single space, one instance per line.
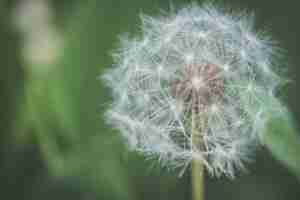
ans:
x=197 y=167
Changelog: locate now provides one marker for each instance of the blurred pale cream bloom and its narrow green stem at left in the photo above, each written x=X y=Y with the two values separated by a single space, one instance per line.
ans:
x=40 y=50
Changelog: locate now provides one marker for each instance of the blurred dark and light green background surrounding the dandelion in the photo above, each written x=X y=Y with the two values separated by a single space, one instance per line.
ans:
x=54 y=143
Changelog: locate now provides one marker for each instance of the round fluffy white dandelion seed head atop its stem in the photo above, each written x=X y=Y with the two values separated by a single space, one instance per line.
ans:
x=197 y=65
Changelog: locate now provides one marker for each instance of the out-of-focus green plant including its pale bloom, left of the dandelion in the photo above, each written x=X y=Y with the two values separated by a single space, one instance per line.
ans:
x=62 y=99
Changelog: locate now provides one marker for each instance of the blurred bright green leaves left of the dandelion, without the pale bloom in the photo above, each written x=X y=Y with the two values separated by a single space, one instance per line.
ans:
x=63 y=107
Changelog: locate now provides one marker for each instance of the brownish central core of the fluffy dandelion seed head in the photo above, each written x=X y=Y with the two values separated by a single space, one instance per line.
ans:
x=200 y=87
